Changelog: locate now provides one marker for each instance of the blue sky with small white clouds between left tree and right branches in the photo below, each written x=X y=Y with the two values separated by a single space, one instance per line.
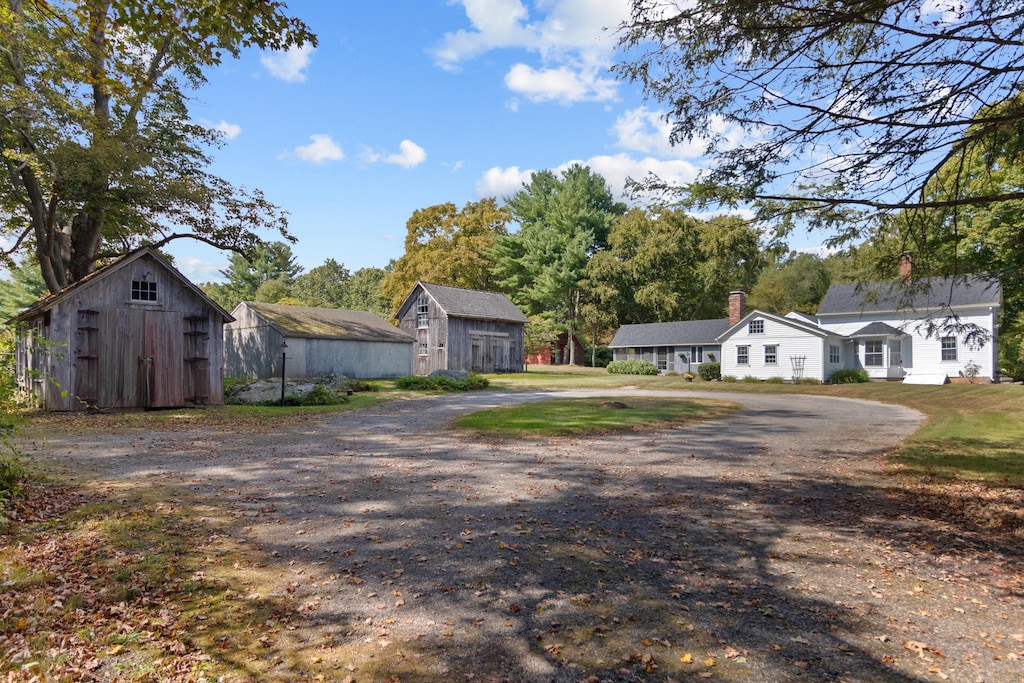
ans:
x=409 y=104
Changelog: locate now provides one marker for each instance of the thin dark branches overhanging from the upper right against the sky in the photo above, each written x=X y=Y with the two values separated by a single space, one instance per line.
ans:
x=829 y=113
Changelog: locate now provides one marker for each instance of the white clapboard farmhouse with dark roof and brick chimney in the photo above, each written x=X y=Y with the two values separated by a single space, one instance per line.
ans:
x=925 y=331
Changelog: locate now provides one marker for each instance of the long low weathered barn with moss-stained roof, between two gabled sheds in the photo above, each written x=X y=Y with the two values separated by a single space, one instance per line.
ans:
x=315 y=343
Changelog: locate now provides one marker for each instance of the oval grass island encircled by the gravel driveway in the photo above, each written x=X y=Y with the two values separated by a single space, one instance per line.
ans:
x=582 y=416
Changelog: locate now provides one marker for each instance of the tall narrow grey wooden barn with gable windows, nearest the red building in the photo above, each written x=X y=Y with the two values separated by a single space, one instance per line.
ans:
x=463 y=330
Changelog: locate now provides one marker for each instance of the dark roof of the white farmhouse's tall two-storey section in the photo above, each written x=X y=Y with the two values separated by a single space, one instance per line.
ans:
x=926 y=294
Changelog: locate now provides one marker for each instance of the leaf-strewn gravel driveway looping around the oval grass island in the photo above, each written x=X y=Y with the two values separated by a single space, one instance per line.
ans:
x=764 y=547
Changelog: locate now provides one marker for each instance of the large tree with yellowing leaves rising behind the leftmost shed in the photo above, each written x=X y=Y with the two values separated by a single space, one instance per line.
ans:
x=99 y=152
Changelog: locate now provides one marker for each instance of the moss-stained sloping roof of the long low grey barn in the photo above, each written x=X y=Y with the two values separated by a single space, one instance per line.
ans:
x=313 y=323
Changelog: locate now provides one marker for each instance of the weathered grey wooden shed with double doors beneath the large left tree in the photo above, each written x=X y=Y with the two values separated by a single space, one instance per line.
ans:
x=136 y=334
